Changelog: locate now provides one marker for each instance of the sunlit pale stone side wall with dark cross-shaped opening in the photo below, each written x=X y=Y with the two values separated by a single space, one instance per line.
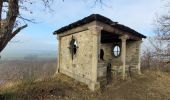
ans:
x=80 y=67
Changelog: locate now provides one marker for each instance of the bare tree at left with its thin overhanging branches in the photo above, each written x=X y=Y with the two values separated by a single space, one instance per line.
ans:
x=10 y=24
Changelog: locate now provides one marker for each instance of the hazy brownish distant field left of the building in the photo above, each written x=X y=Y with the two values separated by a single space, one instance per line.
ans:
x=27 y=69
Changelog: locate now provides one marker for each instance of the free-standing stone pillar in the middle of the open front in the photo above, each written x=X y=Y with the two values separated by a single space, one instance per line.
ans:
x=123 y=54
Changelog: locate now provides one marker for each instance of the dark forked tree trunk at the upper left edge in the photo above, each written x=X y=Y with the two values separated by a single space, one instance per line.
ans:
x=7 y=25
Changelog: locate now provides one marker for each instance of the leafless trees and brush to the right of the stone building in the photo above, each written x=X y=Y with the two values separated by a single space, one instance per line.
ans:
x=157 y=53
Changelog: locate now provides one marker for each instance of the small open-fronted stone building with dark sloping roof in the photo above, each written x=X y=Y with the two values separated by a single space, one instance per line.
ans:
x=91 y=49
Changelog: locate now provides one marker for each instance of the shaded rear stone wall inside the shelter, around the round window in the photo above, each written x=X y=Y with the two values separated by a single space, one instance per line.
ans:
x=132 y=55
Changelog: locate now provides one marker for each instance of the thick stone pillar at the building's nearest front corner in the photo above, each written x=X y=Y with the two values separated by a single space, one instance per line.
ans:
x=95 y=31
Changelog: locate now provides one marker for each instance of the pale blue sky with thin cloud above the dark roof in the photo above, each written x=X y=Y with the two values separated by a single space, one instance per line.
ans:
x=38 y=38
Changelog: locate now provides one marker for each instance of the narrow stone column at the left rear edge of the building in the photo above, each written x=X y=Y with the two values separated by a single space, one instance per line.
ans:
x=58 y=54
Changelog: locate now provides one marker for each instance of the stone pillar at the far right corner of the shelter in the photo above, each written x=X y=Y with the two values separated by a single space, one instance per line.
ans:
x=139 y=60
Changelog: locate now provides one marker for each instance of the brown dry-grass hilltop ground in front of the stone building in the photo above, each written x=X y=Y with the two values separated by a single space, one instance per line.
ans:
x=152 y=85
